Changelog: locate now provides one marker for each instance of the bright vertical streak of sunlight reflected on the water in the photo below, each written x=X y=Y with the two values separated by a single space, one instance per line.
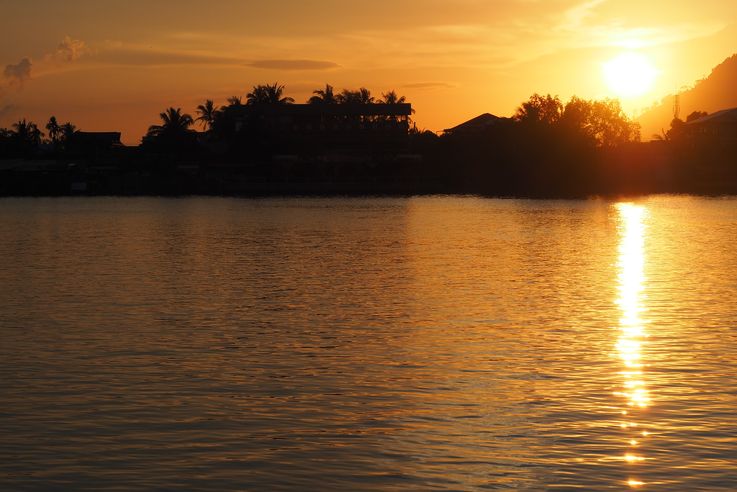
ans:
x=632 y=328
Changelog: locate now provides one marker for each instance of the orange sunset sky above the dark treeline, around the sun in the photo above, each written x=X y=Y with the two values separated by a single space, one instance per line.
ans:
x=111 y=65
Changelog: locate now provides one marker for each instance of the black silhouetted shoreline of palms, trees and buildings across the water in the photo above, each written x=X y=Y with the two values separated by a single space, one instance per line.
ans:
x=352 y=142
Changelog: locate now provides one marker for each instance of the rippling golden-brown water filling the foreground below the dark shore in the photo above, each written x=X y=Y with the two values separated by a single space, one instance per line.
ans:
x=368 y=344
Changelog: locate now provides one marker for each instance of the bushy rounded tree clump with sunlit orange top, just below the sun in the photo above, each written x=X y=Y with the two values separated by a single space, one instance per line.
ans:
x=546 y=149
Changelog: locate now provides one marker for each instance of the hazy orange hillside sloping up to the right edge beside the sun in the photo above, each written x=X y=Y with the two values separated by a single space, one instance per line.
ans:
x=715 y=92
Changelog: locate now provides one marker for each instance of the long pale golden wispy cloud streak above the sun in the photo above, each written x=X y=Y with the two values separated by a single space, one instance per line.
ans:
x=553 y=28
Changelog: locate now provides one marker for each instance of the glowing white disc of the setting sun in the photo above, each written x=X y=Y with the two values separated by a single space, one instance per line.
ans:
x=629 y=75
